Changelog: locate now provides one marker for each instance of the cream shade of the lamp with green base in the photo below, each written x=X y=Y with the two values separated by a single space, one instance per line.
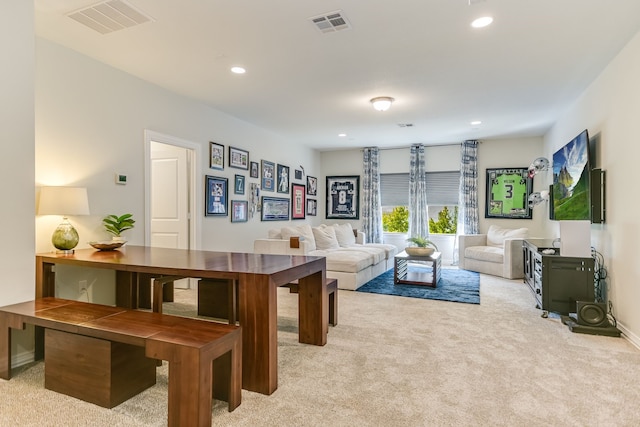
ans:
x=63 y=201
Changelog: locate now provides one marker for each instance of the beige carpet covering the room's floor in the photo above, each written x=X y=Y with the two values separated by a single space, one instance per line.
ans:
x=395 y=361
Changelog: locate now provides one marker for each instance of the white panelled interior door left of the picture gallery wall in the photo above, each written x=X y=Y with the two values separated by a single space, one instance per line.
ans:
x=169 y=203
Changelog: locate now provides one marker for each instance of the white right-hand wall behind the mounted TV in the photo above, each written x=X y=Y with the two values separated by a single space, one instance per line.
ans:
x=610 y=108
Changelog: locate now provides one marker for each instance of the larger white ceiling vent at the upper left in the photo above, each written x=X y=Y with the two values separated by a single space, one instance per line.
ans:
x=111 y=15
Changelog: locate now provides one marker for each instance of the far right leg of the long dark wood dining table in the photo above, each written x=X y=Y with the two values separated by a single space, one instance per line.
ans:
x=313 y=310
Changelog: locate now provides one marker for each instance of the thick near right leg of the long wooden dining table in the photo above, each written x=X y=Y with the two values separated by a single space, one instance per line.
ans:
x=258 y=317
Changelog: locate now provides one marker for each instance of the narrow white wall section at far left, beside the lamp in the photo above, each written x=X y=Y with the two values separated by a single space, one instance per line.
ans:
x=17 y=63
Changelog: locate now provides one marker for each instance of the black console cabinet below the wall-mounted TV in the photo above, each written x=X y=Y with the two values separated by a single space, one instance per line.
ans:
x=556 y=281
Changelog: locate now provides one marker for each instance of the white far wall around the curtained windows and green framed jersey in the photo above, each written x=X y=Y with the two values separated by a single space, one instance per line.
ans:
x=491 y=154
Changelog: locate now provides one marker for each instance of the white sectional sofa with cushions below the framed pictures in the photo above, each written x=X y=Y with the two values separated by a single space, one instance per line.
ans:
x=350 y=260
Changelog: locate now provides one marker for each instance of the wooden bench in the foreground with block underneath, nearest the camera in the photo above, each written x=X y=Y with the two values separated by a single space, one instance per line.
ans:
x=124 y=344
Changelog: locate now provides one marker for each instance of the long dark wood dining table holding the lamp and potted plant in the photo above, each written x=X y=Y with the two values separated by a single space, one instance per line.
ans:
x=257 y=275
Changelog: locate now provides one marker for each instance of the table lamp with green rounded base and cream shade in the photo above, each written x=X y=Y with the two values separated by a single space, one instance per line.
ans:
x=64 y=201
